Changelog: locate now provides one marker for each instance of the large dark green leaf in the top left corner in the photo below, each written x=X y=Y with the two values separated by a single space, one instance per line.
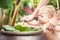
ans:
x=6 y=4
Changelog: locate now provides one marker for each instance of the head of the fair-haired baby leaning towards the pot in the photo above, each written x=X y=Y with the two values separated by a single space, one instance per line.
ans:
x=45 y=14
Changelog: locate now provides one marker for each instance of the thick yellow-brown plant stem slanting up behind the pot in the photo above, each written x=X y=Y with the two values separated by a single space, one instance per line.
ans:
x=12 y=22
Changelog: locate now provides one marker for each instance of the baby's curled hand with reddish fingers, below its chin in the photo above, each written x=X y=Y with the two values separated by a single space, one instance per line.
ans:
x=48 y=27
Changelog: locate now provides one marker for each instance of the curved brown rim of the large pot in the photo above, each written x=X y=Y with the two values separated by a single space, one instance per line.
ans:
x=7 y=33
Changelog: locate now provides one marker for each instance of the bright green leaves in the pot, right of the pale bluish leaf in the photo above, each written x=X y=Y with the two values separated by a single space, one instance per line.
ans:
x=23 y=28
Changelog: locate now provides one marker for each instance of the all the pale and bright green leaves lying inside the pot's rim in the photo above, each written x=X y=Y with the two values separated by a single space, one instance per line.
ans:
x=19 y=28
